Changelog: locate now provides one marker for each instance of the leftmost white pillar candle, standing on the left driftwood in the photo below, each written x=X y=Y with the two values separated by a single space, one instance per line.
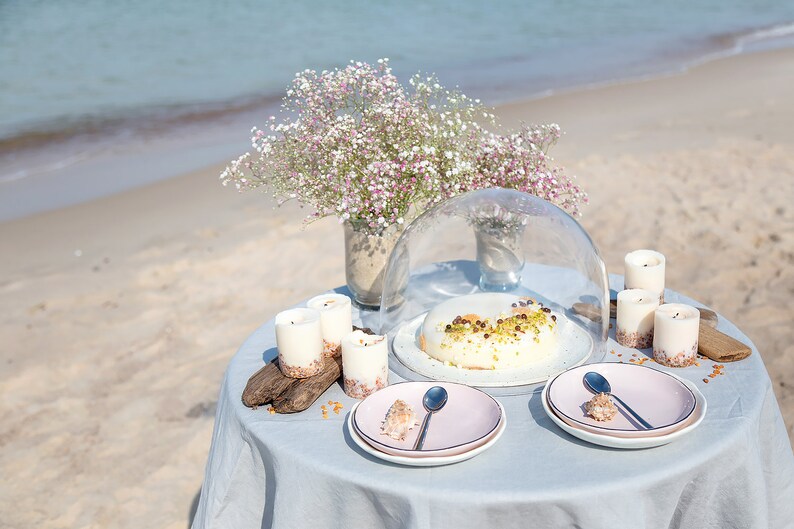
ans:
x=299 y=340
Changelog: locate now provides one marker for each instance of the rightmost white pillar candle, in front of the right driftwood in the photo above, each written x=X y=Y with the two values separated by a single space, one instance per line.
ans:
x=675 y=335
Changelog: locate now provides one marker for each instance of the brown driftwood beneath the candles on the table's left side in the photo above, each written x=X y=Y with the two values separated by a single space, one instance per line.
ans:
x=290 y=395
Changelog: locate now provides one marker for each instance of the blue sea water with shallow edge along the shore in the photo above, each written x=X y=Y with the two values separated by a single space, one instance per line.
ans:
x=78 y=78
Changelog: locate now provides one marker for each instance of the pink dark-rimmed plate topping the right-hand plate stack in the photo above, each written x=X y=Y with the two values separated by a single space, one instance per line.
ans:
x=661 y=399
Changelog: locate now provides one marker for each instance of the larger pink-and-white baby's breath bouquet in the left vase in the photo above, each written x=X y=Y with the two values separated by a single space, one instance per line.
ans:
x=355 y=144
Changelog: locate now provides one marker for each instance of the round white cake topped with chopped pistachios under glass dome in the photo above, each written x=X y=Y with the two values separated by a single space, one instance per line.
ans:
x=489 y=331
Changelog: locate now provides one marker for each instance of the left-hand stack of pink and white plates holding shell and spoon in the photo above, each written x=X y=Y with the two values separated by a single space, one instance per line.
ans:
x=470 y=423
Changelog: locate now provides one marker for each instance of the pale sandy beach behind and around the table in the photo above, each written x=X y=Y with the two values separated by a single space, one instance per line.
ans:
x=120 y=315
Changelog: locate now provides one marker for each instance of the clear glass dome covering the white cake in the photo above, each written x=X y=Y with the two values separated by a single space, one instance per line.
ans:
x=503 y=247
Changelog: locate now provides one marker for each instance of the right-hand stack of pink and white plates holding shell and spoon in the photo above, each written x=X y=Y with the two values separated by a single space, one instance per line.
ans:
x=673 y=406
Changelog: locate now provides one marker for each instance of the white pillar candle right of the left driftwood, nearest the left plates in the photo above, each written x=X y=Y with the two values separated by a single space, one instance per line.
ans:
x=365 y=364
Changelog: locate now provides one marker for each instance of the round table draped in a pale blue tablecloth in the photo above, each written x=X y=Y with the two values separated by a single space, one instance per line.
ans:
x=300 y=470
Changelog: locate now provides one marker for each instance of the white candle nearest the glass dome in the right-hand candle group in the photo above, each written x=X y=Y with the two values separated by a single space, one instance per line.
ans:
x=635 y=317
